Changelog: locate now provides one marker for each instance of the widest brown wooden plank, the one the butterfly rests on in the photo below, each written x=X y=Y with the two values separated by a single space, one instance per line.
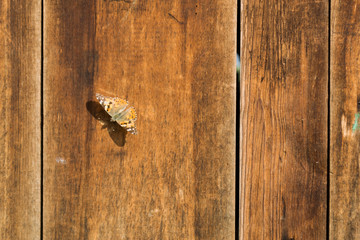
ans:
x=174 y=61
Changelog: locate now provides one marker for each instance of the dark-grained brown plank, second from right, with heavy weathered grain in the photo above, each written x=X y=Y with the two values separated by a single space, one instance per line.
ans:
x=283 y=132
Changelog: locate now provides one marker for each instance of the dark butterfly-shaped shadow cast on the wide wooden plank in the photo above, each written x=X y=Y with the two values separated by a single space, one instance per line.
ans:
x=116 y=132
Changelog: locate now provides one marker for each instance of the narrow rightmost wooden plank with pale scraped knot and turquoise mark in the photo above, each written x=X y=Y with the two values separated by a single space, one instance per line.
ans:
x=345 y=122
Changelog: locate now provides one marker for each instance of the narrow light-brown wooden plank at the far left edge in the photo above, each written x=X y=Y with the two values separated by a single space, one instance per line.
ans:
x=20 y=132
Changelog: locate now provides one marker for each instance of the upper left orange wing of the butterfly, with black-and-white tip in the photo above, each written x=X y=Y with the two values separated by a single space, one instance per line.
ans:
x=112 y=106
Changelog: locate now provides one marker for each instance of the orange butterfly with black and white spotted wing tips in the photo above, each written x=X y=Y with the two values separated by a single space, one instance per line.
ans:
x=119 y=111
